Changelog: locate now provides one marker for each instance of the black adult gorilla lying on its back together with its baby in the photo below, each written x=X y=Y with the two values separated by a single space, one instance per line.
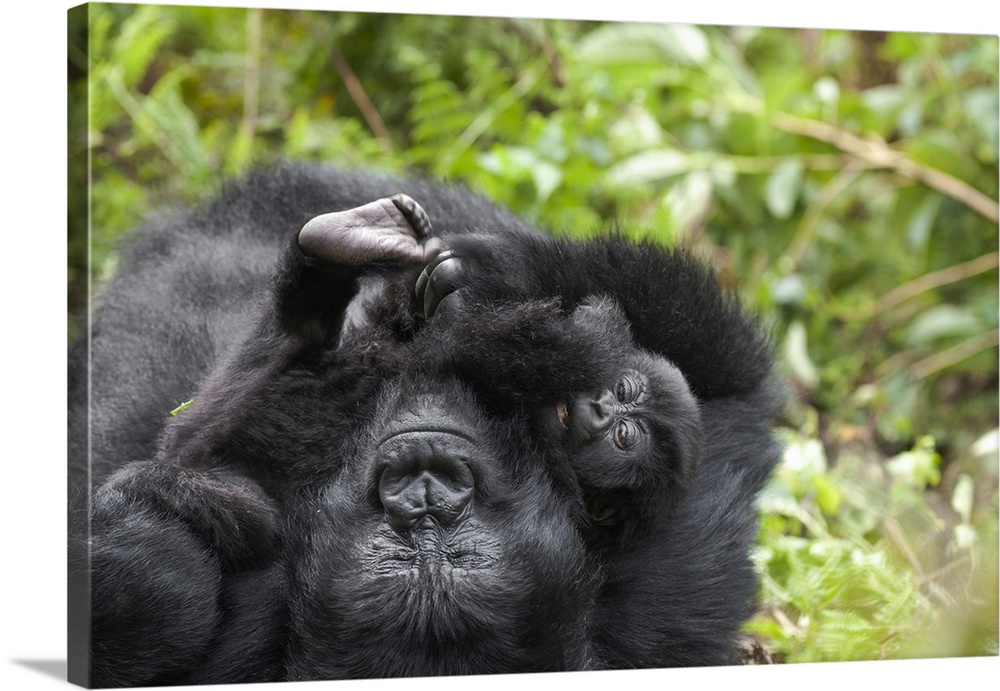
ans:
x=358 y=490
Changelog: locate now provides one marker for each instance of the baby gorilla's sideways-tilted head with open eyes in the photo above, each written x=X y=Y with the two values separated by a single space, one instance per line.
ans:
x=632 y=440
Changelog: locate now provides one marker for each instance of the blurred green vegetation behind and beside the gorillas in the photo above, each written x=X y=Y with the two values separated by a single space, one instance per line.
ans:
x=845 y=181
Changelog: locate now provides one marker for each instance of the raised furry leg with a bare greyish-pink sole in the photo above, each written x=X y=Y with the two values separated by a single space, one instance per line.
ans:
x=293 y=334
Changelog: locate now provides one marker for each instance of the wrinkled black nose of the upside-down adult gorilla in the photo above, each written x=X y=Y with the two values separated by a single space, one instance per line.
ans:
x=425 y=474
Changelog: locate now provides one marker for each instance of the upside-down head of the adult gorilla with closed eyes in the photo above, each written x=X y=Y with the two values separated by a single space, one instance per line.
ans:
x=441 y=547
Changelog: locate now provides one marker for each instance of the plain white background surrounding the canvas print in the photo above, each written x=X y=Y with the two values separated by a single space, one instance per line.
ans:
x=33 y=339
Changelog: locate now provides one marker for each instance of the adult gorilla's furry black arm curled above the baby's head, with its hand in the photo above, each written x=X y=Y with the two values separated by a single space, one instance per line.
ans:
x=673 y=301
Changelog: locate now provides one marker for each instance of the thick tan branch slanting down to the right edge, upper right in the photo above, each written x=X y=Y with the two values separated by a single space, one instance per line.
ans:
x=878 y=154
